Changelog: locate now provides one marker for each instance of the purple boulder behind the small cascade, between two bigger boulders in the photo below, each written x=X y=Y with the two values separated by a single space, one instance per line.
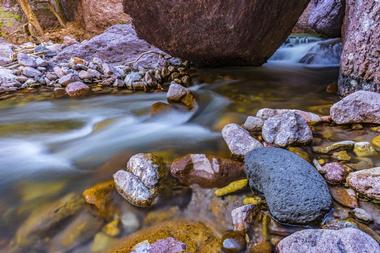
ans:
x=323 y=17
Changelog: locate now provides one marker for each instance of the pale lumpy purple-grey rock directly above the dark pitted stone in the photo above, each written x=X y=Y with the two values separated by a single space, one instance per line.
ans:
x=286 y=129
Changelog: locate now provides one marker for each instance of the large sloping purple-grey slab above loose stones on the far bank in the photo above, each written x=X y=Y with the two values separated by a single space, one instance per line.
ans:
x=117 y=45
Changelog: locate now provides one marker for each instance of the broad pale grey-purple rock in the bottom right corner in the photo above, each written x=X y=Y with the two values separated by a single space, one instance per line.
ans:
x=349 y=240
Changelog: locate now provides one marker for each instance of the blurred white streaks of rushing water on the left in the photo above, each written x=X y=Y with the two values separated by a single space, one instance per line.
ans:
x=127 y=125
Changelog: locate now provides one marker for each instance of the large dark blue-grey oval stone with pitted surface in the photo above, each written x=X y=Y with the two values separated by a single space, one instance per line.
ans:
x=294 y=190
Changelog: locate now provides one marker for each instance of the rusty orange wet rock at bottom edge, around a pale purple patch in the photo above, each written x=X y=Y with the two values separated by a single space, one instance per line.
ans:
x=196 y=235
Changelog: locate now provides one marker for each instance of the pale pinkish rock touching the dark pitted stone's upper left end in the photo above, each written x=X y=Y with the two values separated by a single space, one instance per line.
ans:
x=238 y=140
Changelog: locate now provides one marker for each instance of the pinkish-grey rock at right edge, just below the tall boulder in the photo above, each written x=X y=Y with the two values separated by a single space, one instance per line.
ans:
x=359 y=107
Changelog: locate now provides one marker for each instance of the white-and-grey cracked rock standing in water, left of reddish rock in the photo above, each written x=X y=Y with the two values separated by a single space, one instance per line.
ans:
x=139 y=184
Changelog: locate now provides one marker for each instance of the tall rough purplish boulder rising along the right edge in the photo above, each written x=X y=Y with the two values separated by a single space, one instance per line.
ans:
x=360 y=62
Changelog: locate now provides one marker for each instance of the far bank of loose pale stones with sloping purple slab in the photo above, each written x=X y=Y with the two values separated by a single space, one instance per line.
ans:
x=75 y=68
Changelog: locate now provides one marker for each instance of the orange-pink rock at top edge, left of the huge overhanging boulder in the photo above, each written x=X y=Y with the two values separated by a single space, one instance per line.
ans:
x=99 y=15
